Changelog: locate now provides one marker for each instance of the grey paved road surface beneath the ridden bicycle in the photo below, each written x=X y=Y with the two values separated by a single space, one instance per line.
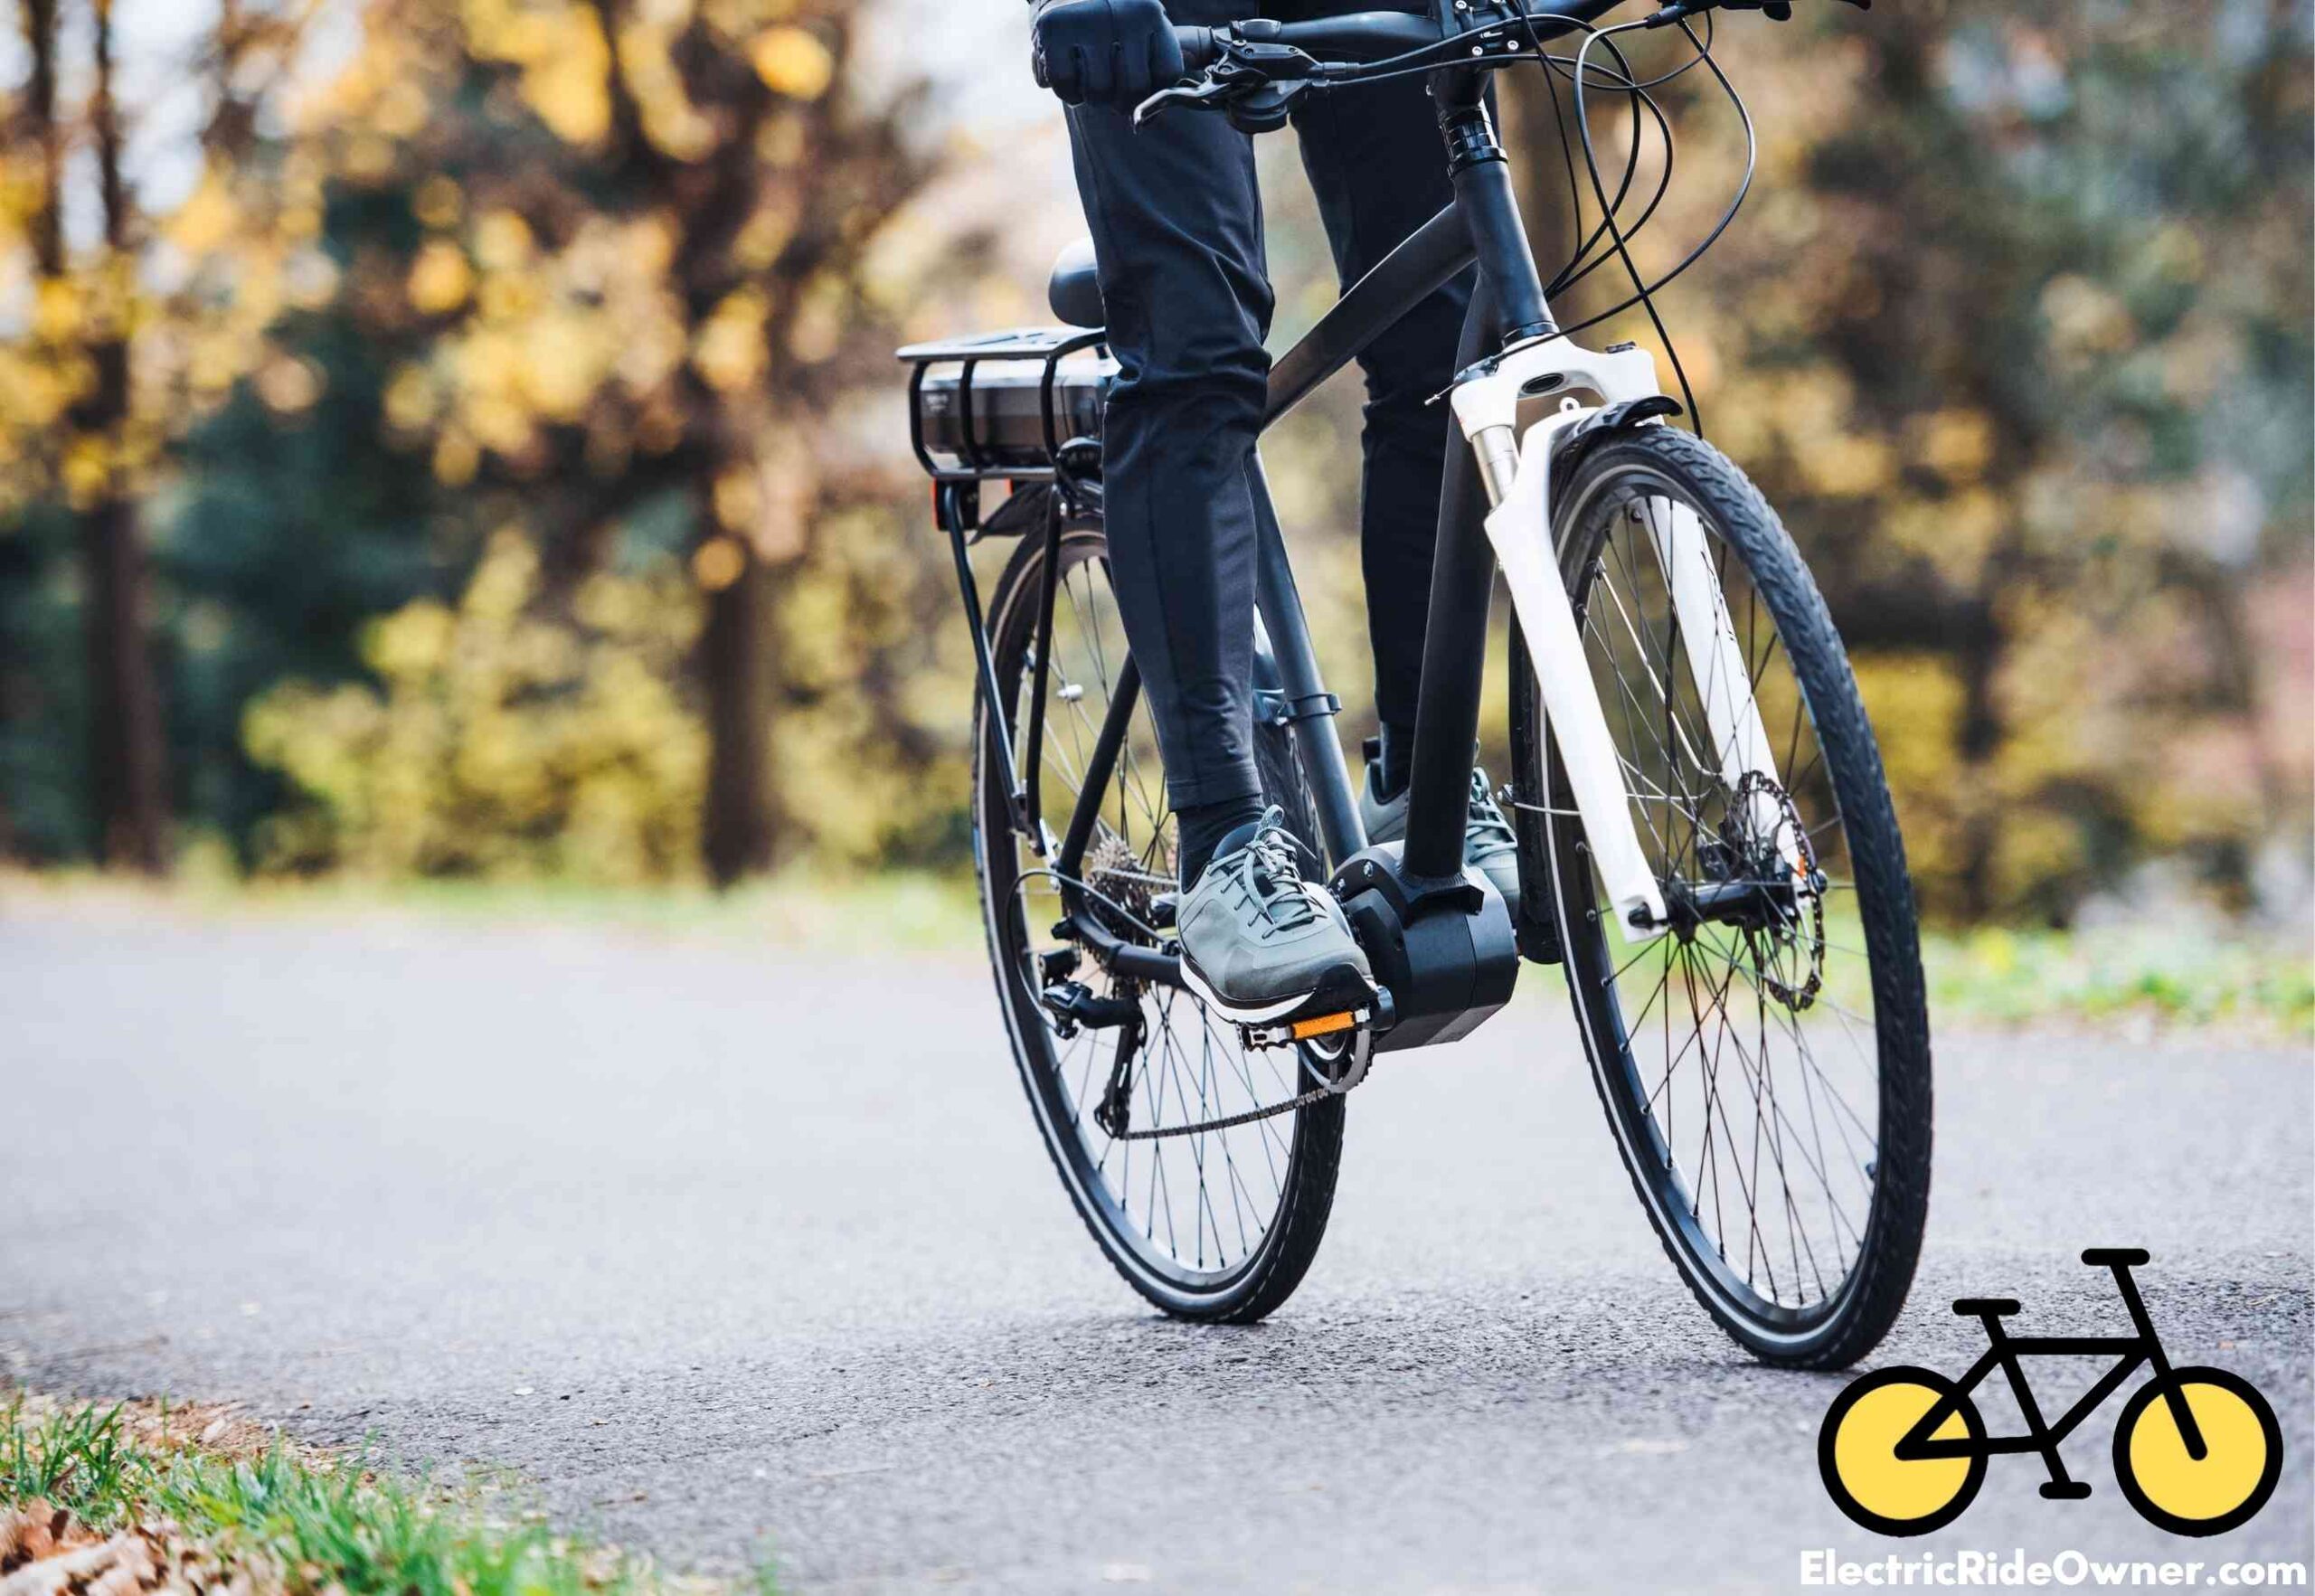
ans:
x=744 y=1254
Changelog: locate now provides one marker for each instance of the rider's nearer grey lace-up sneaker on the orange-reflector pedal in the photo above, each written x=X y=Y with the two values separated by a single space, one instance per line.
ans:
x=1258 y=942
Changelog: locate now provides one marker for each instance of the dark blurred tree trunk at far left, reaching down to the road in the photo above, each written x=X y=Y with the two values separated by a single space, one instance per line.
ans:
x=128 y=749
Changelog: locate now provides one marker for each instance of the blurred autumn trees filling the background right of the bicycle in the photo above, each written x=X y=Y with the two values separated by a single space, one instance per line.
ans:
x=2015 y=332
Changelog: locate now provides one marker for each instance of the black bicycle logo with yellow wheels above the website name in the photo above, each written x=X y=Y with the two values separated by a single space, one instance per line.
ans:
x=2196 y=1451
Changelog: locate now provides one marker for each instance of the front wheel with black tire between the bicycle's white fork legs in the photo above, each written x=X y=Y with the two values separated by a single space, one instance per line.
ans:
x=1698 y=828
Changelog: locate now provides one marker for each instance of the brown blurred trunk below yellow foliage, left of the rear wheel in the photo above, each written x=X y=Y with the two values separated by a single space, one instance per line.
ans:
x=740 y=668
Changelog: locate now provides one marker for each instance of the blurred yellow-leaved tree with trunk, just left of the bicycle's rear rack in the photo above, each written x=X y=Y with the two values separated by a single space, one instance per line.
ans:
x=638 y=284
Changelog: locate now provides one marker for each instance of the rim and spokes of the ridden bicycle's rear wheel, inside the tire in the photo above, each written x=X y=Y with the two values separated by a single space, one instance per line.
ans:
x=1193 y=1213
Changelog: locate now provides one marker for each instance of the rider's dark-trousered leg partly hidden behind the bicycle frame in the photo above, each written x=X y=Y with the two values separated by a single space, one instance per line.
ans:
x=1381 y=173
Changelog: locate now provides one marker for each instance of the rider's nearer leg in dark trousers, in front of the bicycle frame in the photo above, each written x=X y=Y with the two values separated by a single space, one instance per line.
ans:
x=1177 y=233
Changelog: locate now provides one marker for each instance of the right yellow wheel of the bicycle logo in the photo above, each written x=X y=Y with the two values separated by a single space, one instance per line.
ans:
x=2198 y=1495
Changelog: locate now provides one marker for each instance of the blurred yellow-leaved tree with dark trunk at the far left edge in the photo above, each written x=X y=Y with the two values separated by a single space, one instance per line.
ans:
x=119 y=332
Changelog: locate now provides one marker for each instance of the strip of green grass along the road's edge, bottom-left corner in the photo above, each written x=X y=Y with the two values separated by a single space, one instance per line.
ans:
x=302 y=1523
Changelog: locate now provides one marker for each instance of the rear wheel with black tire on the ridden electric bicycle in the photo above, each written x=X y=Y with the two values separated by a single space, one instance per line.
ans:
x=1300 y=1152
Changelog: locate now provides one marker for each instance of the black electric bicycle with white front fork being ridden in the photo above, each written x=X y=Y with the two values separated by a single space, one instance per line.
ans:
x=1705 y=835
